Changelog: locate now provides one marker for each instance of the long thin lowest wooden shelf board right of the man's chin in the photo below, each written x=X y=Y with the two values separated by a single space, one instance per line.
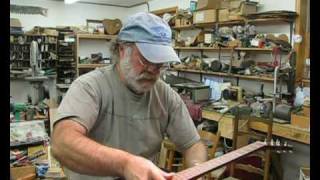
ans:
x=252 y=77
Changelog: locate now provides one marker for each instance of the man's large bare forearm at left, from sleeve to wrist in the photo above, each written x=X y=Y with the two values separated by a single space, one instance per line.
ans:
x=81 y=154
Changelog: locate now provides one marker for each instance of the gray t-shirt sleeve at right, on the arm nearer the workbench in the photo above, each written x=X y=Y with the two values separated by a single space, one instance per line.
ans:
x=181 y=129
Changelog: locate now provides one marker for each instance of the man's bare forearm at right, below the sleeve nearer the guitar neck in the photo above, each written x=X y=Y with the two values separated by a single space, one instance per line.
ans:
x=196 y=154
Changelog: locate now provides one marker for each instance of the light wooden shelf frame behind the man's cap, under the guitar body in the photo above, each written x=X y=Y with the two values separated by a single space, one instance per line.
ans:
x=84 y=68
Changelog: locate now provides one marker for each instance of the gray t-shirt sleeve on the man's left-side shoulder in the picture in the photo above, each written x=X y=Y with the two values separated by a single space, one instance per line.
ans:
x=81 y=104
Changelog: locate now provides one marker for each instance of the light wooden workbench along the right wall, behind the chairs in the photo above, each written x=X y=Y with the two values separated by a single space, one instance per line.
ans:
x=287 y=131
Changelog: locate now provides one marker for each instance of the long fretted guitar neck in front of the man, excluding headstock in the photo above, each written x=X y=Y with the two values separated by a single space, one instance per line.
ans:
x=197 y=171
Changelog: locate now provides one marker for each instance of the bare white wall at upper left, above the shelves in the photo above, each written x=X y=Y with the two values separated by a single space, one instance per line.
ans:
x=60 y=14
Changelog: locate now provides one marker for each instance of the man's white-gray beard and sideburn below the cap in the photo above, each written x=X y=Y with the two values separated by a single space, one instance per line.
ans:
x=132 y=78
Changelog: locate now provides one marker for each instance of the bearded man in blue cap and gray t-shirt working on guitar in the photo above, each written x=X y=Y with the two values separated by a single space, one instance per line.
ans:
x=112 y=120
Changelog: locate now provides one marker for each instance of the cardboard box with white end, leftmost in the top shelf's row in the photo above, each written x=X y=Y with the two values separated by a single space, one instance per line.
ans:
x=205 y=16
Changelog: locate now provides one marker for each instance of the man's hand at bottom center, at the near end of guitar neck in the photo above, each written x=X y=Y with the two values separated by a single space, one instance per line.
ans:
x=138 y=168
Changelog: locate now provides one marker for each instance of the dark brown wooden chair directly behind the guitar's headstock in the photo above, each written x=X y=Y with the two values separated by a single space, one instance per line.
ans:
x=265 y=156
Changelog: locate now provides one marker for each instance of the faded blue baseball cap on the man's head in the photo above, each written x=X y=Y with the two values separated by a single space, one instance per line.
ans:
x=152 y=36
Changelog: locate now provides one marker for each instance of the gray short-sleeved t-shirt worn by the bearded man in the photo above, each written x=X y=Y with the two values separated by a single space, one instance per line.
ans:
x=118 y=118
